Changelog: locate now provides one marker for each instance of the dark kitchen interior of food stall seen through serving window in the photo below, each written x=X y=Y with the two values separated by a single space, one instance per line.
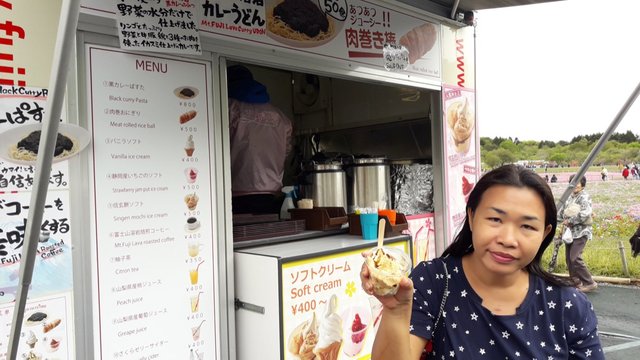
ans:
x=341 y=120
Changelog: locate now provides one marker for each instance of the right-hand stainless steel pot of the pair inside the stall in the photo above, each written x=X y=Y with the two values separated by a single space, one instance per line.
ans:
x=369 y=182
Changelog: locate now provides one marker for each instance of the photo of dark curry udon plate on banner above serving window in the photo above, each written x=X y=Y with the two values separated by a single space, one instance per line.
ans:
x=300 y=21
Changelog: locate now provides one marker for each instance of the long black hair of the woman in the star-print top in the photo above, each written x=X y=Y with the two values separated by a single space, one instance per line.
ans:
x=511 y=175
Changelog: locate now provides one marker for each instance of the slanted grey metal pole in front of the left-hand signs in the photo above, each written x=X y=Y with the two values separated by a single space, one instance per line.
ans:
x=57 y=83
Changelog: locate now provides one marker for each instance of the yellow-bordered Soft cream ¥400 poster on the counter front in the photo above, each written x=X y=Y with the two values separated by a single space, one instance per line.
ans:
x=325 y=313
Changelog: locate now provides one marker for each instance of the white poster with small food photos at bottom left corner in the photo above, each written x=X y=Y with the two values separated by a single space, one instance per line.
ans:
x=47 y=331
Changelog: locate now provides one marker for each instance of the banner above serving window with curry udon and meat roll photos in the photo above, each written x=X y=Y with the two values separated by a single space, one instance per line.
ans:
x=355 y=31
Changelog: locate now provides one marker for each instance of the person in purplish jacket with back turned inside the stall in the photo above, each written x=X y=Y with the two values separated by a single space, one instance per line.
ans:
x=260 y=136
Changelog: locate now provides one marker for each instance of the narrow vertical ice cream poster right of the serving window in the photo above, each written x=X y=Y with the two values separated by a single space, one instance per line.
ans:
x=460 y=147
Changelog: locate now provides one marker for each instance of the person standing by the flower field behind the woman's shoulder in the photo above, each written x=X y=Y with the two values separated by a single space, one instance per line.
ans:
x=577 y=215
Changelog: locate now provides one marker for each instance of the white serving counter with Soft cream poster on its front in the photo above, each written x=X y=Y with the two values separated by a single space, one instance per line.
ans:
x=281 y=289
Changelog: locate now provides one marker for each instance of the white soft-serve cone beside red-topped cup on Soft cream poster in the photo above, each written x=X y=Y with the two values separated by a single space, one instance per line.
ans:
x=330 y=332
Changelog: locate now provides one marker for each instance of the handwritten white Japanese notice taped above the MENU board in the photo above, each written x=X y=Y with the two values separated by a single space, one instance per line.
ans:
x=159 y=25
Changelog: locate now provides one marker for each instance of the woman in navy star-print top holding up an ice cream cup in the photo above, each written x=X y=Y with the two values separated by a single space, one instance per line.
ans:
x=500 y=302
